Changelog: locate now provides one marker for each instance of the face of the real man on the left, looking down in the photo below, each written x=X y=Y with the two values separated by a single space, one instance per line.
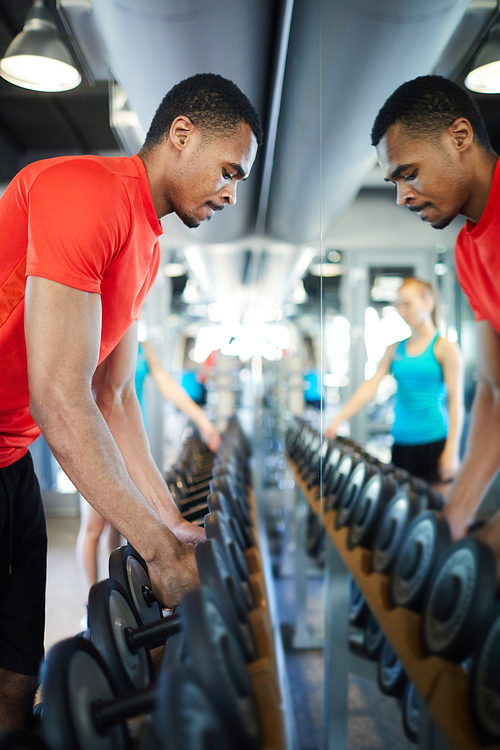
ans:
x=208 y=176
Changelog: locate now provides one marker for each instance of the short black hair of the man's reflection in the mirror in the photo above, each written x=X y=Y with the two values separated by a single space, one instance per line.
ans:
x=427 y=106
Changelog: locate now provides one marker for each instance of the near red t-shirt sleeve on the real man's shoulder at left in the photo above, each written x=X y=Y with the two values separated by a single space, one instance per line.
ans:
x=78 y=220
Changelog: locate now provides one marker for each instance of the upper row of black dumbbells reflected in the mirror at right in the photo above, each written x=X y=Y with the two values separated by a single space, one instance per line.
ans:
x=453 y=586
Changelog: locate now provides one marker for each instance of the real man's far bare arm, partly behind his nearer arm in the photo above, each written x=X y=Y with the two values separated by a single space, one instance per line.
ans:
x=114 y=391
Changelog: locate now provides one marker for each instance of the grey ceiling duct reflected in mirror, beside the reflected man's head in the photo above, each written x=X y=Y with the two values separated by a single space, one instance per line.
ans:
x=345 y=58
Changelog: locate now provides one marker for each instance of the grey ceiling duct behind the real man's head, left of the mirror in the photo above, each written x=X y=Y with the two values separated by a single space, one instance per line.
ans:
x=157 y=43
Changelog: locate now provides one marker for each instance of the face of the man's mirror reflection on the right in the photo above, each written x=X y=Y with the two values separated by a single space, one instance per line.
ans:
x=429 y=178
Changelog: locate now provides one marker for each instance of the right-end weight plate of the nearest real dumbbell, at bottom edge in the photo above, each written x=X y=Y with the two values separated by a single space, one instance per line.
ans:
x=186 y=717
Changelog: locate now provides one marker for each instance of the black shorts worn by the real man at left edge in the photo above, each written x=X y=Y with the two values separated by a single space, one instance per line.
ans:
x=23 y=567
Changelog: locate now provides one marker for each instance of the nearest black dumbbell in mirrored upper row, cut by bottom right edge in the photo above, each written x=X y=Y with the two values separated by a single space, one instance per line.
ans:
x=484 y=683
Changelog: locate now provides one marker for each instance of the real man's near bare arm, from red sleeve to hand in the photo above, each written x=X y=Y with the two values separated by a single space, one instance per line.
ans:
x=62 y=329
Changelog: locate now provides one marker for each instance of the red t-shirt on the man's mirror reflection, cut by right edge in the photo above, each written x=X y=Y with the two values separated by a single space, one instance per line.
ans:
x=477 y=258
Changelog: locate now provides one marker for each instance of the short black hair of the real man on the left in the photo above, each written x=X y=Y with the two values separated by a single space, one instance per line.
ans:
x=212 y=103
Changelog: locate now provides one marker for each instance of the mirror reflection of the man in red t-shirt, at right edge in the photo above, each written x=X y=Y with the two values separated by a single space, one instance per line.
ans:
x=433 y=146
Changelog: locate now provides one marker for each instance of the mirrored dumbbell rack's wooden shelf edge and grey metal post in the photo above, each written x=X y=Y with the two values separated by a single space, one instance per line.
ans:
x=442 y=685
